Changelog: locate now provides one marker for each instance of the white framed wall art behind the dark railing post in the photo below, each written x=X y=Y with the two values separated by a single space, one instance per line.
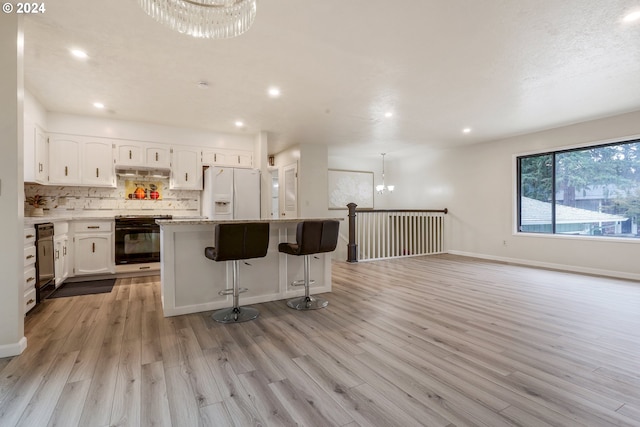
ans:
x=350 y=186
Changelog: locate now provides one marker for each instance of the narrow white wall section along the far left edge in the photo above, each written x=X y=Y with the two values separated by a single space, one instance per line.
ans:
x=12 y=340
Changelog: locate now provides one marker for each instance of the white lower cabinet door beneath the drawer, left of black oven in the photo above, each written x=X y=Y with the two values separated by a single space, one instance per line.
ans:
x=93 y=253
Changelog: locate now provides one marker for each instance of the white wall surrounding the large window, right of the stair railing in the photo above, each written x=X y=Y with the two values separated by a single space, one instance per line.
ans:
x=477 y=184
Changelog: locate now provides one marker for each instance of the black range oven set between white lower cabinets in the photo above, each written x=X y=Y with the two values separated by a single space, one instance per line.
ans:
x=137 y=239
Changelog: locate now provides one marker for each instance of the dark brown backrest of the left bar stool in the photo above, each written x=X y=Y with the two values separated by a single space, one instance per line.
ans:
x=241 y=241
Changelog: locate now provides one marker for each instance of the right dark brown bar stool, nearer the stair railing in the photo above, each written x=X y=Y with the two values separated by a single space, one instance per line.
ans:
x=312 y=237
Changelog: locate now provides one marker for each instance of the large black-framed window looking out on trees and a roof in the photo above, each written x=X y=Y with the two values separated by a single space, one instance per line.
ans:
x=592 y=191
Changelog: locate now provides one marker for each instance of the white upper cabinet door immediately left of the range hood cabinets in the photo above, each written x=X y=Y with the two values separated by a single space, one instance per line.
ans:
x=97 y=164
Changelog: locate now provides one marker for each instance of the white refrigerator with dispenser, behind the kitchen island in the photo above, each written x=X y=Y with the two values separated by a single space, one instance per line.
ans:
x=231 y=193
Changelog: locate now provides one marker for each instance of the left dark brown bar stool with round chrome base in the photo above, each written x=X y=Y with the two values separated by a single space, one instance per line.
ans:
x=235 y=242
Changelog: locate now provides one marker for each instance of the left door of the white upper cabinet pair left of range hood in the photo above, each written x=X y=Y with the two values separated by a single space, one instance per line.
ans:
x=64 y=160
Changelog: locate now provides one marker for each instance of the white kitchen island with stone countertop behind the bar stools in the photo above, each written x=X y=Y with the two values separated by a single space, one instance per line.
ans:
x=190 y=282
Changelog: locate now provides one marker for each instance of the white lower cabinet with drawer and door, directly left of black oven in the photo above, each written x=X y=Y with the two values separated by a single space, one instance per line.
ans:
x=93 y=247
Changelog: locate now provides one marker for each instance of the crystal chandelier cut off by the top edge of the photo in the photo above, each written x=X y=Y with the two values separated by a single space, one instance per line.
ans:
x=209 y=19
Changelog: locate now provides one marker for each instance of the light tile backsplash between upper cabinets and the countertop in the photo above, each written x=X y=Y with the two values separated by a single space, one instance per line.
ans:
x=97 y=201
